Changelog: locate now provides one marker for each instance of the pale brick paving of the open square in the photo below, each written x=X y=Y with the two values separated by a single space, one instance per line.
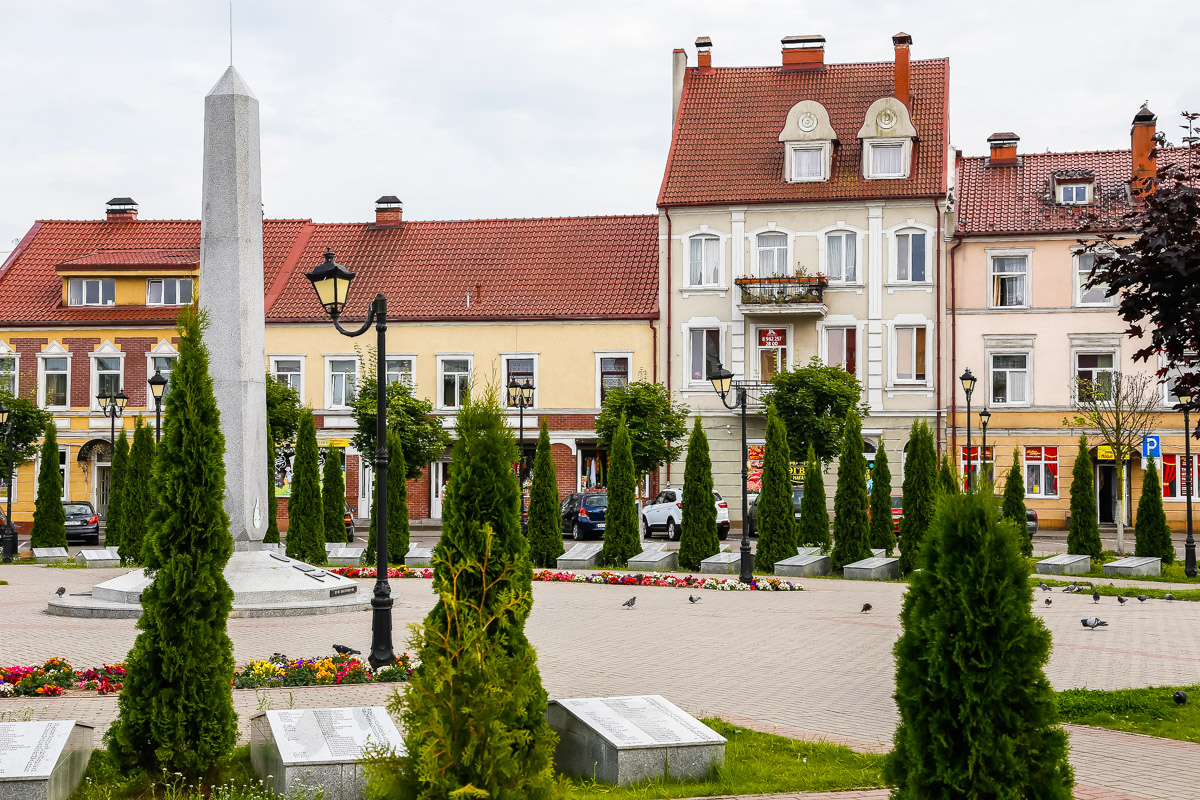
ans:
x=807 y=665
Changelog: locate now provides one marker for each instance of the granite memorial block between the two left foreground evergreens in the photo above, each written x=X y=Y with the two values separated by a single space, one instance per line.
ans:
x=301 y=751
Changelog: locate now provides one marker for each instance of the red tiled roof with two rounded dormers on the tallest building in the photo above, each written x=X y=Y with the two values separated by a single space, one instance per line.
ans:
x=725 y=147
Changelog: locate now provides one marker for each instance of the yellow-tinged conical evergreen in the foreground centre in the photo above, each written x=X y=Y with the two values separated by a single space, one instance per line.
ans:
x=475 y=708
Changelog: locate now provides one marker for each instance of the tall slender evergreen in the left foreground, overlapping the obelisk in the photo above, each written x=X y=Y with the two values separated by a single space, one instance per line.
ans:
x=176 y=713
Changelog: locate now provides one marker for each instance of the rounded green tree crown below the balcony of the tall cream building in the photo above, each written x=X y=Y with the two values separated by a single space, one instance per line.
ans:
x=814 y=402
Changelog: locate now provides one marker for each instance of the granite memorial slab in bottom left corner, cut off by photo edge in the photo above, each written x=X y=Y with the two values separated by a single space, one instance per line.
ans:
x=44 y=761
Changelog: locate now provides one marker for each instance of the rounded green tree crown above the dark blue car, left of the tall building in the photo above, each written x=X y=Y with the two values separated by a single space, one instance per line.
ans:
x=653 y=422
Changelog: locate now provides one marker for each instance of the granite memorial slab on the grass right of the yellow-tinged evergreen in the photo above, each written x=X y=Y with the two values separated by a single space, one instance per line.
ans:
x=628 y=739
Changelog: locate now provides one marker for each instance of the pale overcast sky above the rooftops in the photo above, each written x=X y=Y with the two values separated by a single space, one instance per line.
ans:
x=507 y=110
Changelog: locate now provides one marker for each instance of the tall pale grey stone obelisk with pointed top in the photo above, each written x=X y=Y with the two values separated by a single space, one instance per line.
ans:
x=232 y=297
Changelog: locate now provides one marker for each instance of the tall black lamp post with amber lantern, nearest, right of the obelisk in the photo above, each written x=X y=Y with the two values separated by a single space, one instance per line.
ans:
x=332 y=282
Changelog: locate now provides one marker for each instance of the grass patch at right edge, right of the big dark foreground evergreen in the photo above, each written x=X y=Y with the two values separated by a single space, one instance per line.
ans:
x=1136 y=711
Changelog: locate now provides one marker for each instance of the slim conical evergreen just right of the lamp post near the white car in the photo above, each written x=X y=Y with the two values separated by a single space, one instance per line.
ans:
x=776 y=515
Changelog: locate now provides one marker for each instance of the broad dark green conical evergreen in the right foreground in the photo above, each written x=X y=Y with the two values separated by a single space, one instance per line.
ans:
x=976 y=720
